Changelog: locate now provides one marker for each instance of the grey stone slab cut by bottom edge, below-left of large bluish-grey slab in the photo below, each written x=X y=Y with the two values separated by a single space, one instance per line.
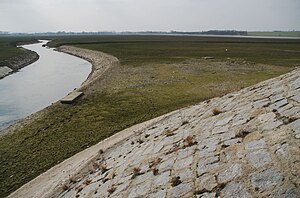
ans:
x=235 y=190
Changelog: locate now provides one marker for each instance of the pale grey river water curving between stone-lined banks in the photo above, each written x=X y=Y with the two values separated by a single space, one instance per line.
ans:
x=38 y=85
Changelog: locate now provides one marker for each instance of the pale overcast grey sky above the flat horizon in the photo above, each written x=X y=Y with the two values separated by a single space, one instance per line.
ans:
x=148 y=15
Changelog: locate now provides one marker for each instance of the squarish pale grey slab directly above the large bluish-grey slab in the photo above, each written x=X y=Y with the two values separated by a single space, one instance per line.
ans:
x=259 y=158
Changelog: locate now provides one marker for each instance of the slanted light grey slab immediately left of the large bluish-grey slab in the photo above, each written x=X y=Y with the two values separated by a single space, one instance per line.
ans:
x=234 y=171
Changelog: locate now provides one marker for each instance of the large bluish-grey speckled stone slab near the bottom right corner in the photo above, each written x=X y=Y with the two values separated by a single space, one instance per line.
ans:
x=266 y=179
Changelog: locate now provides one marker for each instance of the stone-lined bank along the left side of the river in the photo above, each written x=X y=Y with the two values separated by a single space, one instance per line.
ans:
x=15 y=63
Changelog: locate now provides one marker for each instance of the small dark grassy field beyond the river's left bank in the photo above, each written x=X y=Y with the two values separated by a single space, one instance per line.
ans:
x=8 y=47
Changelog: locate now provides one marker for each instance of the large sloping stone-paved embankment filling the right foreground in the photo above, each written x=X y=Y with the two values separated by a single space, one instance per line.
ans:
x=244 y=144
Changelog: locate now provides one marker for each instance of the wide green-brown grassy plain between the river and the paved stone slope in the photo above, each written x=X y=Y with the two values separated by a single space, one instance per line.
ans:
x=157 y=74
